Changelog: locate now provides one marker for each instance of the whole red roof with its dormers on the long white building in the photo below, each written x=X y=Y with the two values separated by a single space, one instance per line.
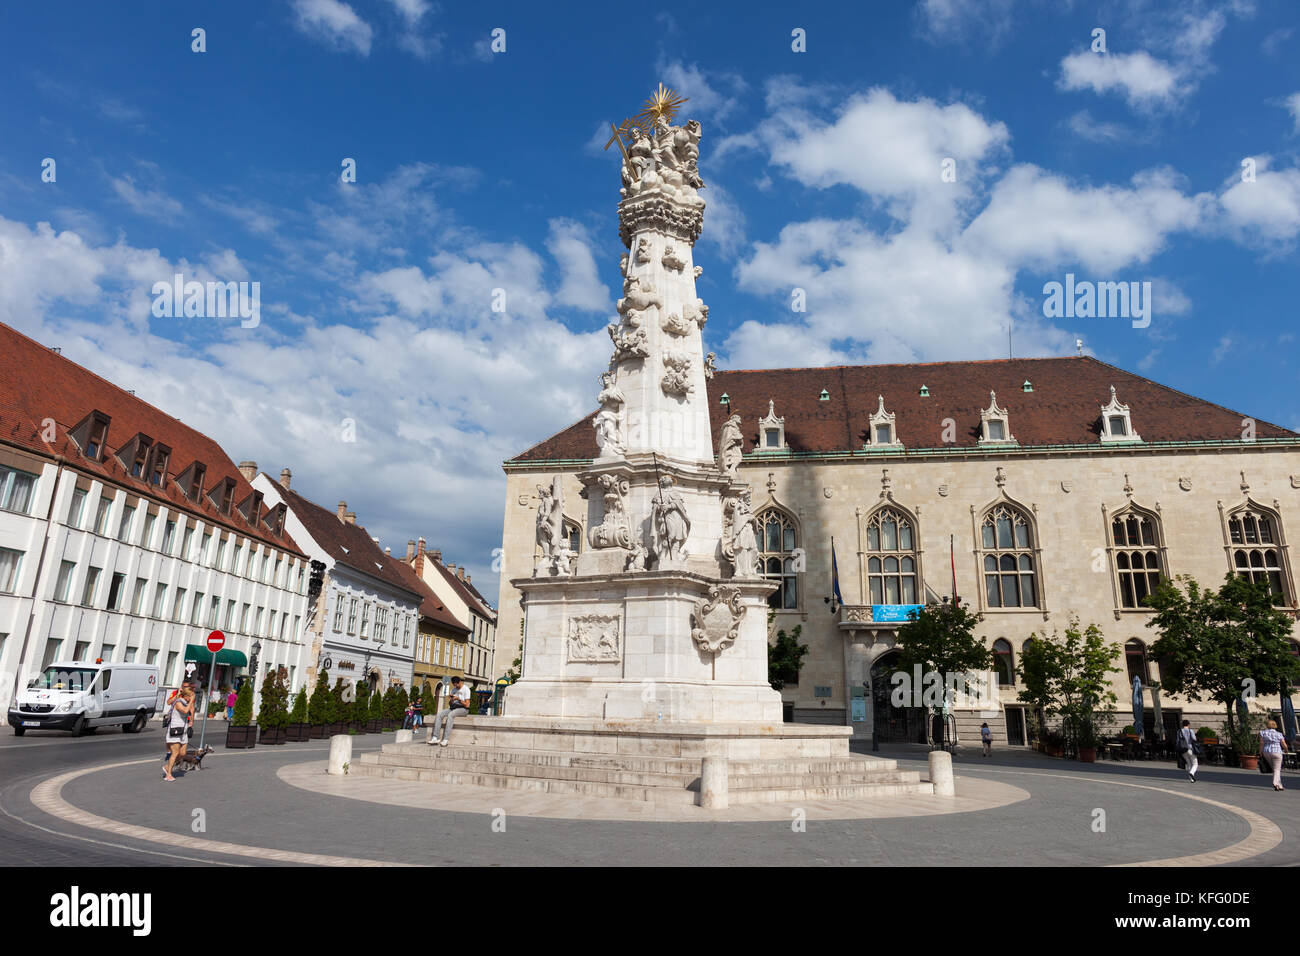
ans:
x=44 y=410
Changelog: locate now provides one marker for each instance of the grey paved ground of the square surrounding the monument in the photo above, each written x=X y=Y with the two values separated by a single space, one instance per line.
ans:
x=244 y=802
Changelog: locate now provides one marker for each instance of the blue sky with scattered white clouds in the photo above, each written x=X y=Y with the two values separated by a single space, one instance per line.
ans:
x=482 y=170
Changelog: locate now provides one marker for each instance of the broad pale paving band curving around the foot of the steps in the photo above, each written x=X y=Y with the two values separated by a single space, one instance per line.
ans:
x=973 y=795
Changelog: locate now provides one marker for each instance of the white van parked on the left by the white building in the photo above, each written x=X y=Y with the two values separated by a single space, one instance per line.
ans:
x=84 y=697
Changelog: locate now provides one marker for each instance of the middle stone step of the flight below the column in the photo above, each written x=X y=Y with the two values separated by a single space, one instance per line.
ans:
x=738 y=780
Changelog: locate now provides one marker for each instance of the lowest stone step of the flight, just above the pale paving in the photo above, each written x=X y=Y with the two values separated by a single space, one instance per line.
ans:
x=661 y=795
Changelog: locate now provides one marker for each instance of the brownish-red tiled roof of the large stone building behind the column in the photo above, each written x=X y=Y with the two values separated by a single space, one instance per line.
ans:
x=1064 y=408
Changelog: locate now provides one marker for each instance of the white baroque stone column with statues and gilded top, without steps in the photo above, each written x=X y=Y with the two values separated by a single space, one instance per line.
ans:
x=662 y=617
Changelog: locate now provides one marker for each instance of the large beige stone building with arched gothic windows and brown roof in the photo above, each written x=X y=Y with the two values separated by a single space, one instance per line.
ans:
x=1043 y=488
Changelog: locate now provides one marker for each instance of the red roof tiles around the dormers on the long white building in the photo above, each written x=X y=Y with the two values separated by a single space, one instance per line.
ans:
x=38 y=384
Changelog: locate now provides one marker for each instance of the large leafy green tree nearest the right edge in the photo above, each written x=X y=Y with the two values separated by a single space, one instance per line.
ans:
x=1221 y=644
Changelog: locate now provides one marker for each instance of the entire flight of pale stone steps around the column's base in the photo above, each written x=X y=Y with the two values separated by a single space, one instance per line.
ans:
x=665 y=780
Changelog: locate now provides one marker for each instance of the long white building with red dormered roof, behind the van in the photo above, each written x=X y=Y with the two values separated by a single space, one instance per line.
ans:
x=127 y=535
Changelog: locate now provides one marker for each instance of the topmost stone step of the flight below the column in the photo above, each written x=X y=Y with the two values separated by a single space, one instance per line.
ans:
x=638 y=764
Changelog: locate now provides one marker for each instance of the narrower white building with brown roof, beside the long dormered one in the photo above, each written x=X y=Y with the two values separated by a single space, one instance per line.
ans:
x=367 y=618
